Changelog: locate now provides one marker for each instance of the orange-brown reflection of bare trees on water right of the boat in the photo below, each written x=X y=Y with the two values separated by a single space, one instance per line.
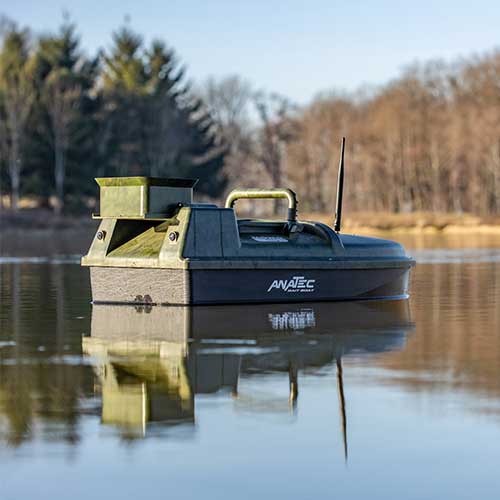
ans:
x=457 y=346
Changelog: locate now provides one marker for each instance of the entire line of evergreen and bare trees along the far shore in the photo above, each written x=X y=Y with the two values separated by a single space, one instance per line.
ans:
x=427 y=140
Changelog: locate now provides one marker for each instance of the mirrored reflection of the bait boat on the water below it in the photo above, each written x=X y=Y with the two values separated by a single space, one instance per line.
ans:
x=152 y=361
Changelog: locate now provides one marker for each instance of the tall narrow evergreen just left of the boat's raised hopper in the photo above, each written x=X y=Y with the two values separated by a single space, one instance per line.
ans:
x=66 y=108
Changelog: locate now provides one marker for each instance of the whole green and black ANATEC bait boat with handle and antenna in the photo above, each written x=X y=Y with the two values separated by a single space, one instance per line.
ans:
x=155 y=246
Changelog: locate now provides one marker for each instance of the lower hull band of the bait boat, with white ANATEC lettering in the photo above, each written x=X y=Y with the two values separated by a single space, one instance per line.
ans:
x=232 y=286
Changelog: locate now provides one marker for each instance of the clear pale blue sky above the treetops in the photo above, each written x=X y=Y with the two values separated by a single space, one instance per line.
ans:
x=293 y=47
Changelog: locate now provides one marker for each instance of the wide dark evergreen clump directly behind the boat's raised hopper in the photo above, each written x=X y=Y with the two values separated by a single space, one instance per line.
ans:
x=155 y=126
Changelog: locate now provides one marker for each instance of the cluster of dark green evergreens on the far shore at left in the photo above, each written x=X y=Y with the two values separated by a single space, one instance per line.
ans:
x=66 y=117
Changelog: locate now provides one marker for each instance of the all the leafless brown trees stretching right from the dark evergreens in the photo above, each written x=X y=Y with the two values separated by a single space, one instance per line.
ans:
x=428 y=140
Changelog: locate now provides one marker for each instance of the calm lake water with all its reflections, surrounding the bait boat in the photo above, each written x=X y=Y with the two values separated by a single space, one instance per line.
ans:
x=350 y=400
